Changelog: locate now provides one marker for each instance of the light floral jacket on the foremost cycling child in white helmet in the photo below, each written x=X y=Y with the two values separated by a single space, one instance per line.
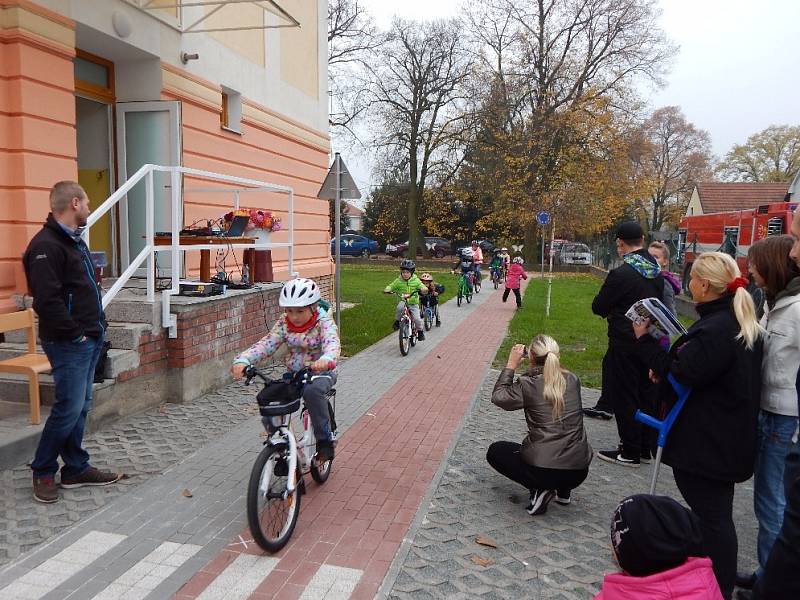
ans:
x=321 y=341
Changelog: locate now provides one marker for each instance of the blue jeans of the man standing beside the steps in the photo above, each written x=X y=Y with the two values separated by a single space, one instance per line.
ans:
x=73 y=371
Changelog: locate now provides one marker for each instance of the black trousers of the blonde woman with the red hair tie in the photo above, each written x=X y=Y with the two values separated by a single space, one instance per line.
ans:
x=712 y=502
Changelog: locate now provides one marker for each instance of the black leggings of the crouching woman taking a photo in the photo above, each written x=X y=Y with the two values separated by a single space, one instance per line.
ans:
x=505 y=458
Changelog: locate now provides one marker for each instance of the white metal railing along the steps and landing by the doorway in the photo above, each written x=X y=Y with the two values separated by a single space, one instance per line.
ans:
x=175 y=248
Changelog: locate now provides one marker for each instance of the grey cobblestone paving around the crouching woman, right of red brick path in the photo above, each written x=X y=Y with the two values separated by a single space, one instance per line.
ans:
x=561 y=554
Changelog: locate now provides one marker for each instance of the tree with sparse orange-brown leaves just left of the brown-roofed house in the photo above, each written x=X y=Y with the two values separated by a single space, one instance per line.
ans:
x=671 y=155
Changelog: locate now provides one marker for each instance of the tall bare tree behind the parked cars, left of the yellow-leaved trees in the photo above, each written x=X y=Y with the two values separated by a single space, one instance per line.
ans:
x=417 y=90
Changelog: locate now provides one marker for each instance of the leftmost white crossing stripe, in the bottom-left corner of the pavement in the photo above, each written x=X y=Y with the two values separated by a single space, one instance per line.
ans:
x=45 y=578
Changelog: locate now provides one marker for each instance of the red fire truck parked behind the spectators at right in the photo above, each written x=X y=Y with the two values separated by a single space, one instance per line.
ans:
x=731 y=232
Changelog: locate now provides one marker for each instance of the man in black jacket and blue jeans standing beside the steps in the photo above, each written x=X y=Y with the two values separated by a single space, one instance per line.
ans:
x=66 y=298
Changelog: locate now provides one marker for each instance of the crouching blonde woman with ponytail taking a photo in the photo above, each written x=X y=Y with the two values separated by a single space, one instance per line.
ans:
x=554 y=457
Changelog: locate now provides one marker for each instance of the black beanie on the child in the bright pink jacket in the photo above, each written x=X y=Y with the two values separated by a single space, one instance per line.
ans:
x=651 y=534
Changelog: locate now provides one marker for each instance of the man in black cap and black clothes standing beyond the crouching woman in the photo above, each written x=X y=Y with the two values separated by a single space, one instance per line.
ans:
x=628 y=386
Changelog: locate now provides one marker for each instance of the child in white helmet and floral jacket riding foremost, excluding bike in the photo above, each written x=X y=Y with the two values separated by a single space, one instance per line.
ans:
x=313 y=341
